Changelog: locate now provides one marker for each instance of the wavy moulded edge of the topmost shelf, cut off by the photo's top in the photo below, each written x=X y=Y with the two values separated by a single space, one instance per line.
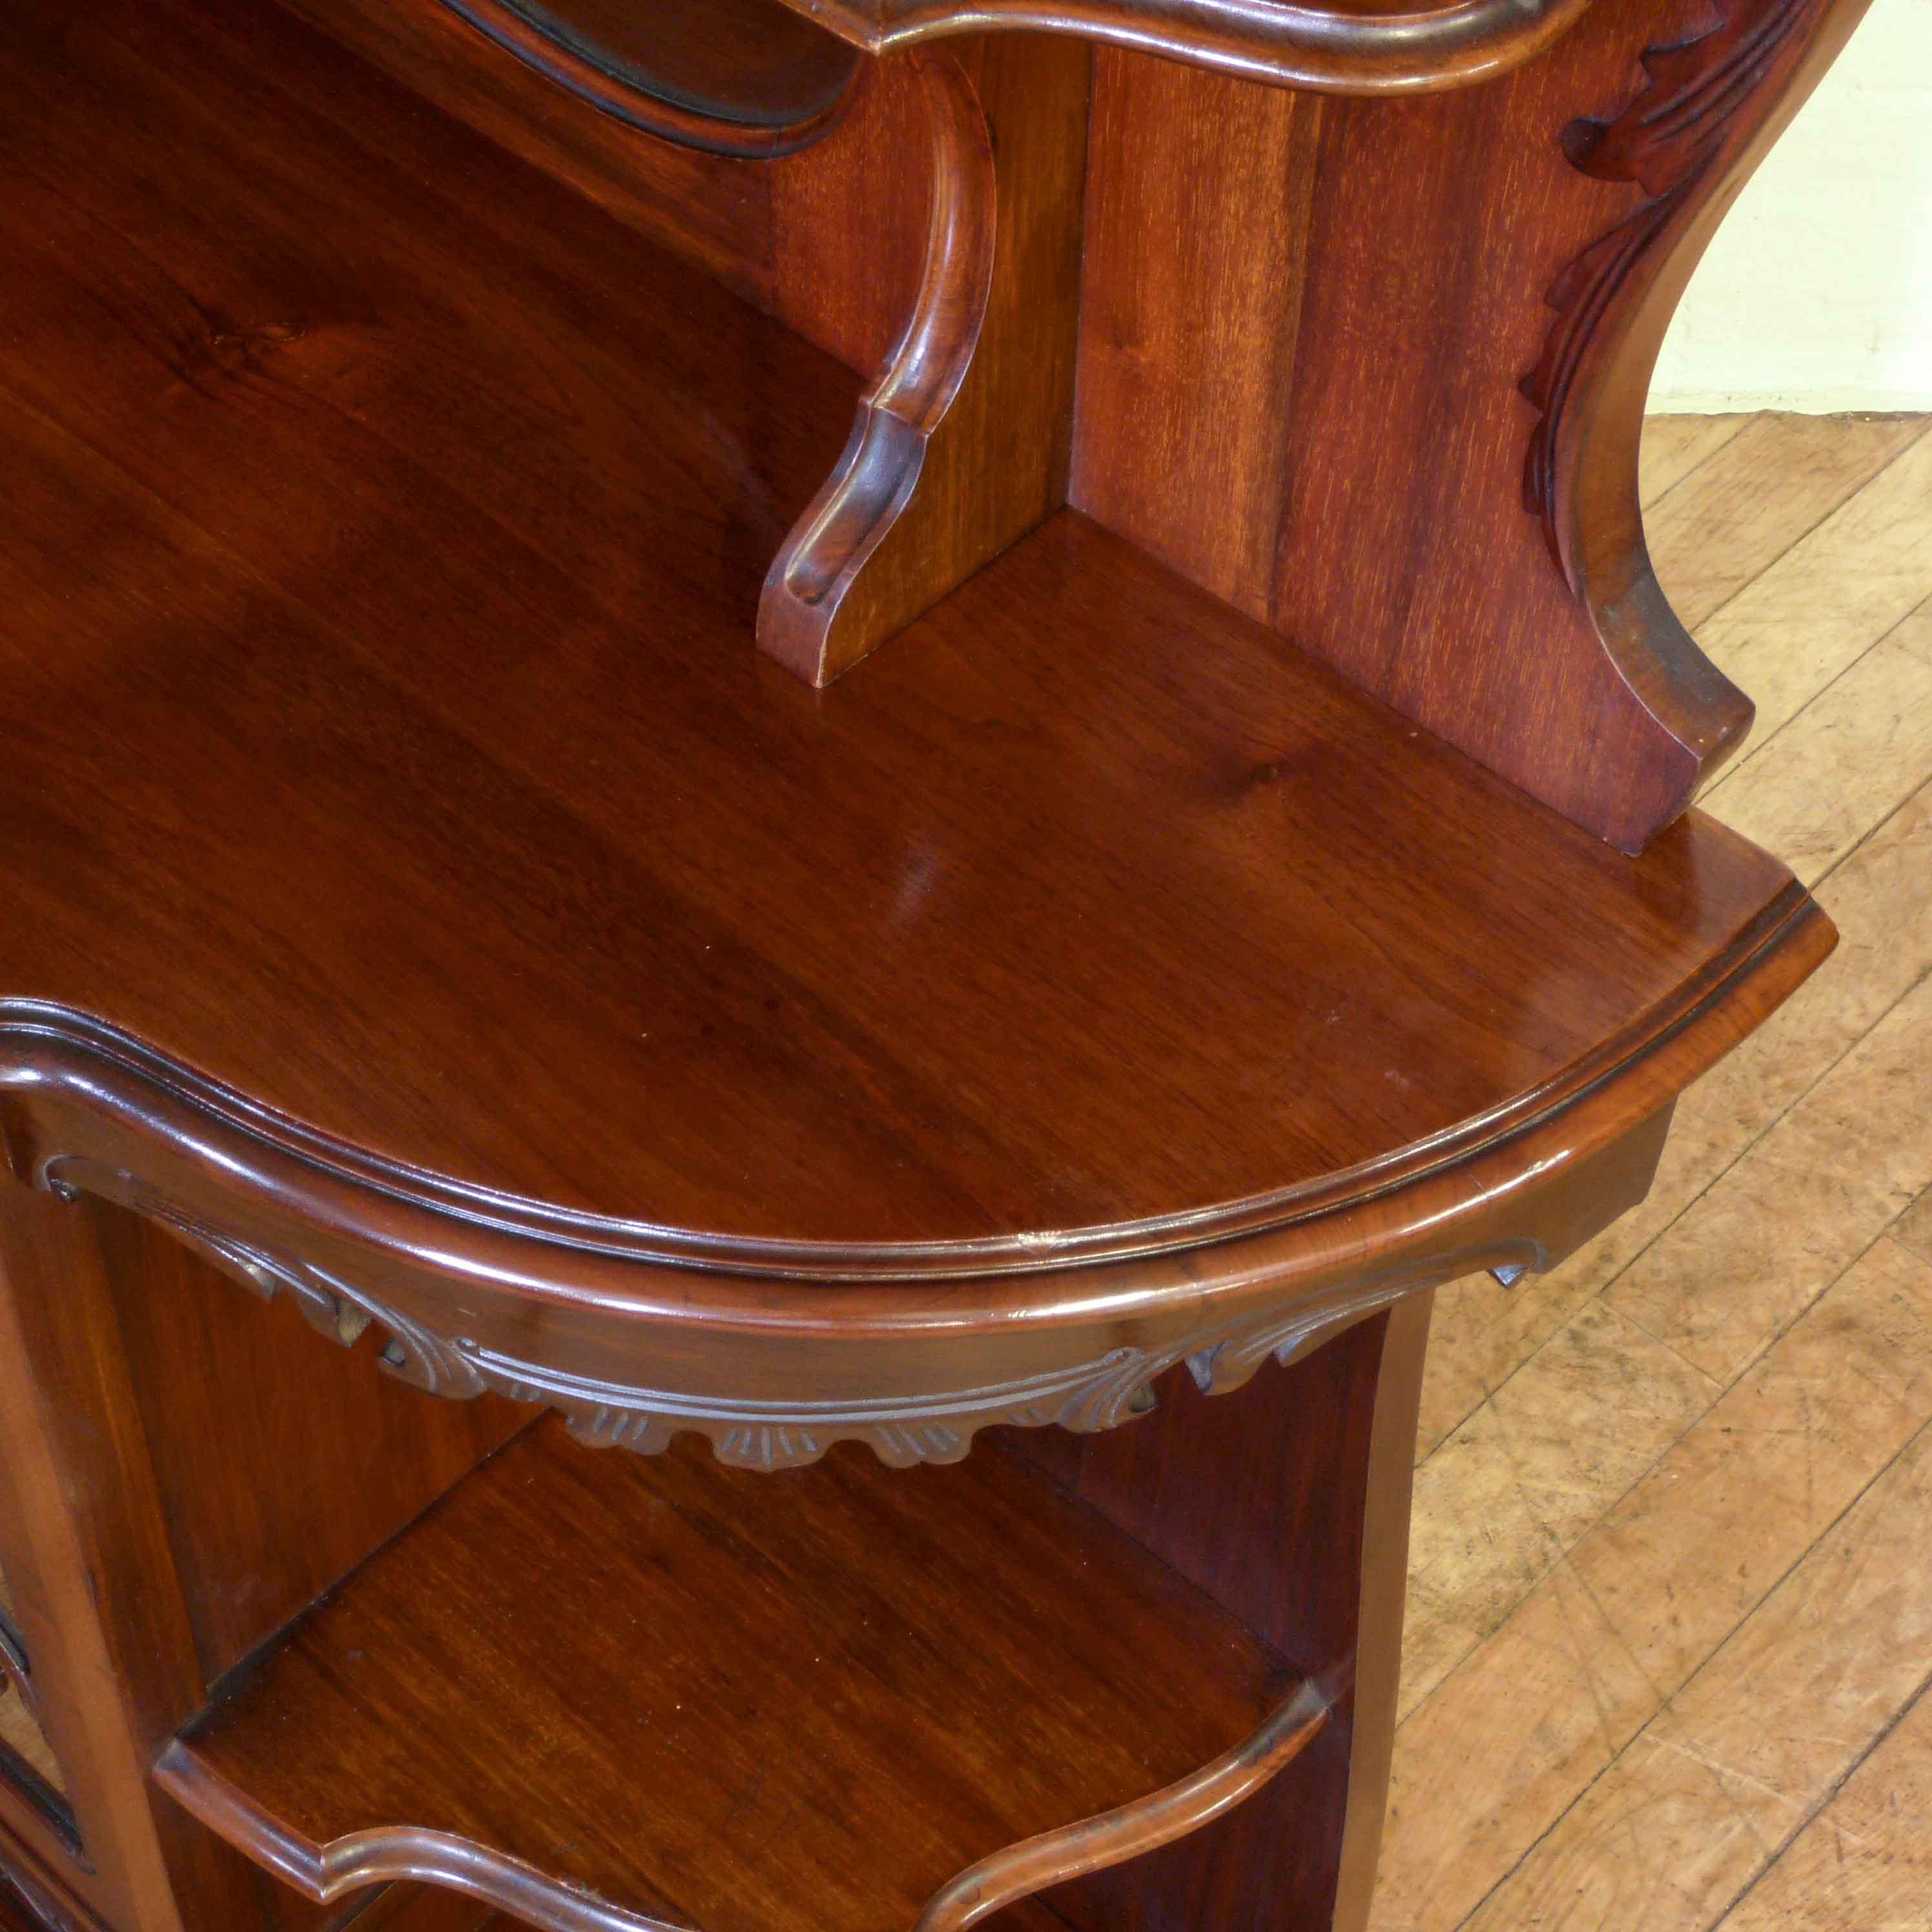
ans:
x=1290 y=45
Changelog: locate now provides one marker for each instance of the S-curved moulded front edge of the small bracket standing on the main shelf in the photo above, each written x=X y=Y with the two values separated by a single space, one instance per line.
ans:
x=870 y=490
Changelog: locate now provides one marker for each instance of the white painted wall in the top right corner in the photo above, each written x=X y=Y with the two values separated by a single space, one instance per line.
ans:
x=1817 y=293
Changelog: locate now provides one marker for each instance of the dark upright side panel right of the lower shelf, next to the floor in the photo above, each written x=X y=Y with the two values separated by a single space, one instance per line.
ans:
x=1290 y=1506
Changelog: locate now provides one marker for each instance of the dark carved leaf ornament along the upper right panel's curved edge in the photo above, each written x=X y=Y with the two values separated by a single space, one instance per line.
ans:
x=1668 y=140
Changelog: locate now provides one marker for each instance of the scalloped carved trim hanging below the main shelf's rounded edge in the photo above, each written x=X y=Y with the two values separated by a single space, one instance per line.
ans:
x=745 y=1433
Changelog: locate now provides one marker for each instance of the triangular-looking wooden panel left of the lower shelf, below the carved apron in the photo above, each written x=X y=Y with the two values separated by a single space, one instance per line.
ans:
x=281 y=1462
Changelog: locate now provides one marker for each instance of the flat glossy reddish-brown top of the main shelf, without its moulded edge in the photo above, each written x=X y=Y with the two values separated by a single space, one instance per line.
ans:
x=368 y=642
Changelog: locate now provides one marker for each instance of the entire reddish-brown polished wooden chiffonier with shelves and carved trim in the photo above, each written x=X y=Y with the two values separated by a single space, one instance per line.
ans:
x=799 y=803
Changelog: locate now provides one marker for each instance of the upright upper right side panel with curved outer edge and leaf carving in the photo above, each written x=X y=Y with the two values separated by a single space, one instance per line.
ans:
x=1305 y=358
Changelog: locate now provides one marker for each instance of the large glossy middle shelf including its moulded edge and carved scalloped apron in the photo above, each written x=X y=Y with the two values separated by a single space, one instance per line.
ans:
x=1089 y=924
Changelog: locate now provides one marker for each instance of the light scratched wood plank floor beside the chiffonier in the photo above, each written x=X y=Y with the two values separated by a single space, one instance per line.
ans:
x=1672 y=1576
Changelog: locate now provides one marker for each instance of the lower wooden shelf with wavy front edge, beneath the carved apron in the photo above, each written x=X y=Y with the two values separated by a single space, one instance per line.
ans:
x=631 y=1691
